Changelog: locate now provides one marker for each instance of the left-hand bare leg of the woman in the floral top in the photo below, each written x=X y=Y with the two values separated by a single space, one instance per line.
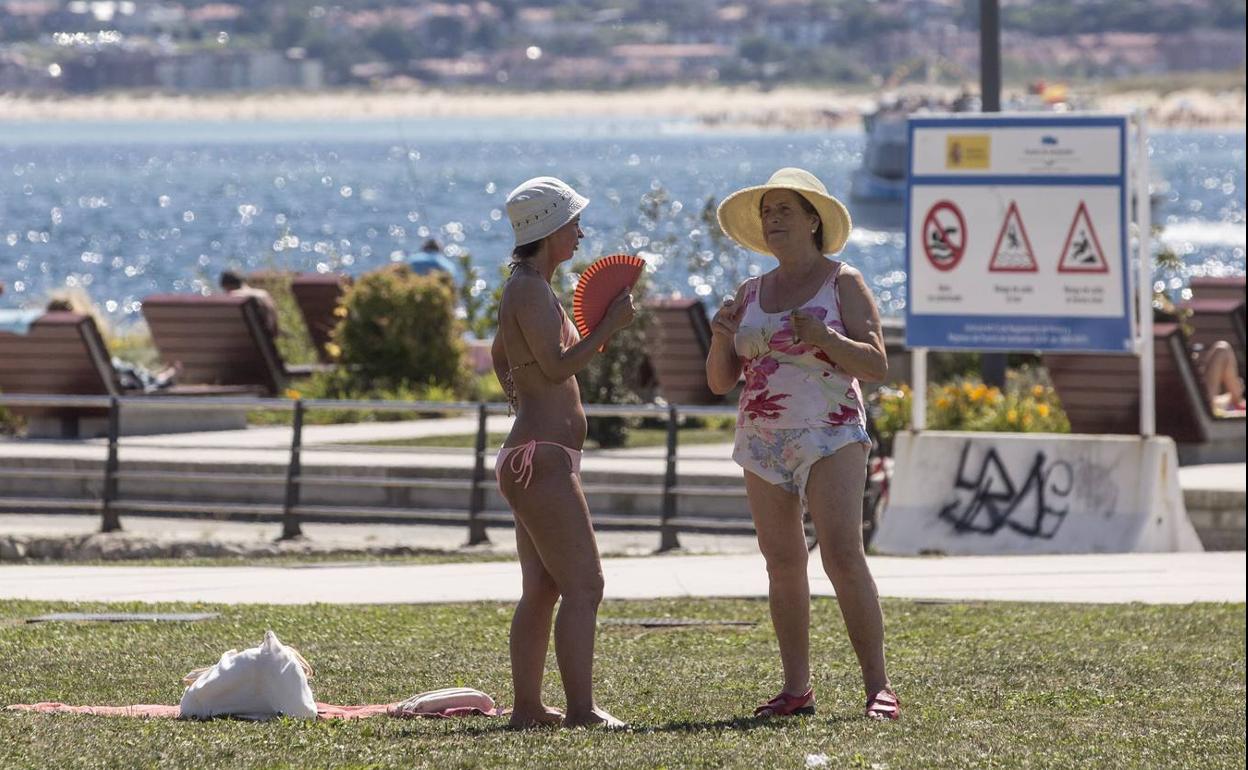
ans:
x=783 y=542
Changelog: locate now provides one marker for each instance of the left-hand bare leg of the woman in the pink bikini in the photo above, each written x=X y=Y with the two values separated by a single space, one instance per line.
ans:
x=531 y=636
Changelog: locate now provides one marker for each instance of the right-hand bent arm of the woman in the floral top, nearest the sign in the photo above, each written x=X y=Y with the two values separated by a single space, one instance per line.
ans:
x=860 y=351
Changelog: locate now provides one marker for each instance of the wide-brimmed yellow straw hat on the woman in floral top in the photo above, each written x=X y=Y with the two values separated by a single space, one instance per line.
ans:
x=741 y=220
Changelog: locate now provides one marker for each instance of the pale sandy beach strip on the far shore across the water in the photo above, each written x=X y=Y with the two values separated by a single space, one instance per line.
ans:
x=779 y=109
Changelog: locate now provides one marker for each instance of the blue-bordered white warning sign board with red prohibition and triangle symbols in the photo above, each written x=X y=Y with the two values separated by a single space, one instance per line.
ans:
x=1018 y=234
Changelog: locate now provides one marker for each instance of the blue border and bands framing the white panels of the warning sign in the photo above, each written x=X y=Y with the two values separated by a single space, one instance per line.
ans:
x=960 y=333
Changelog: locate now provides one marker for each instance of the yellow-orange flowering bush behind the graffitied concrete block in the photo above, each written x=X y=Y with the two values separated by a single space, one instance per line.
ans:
x=1026 y=406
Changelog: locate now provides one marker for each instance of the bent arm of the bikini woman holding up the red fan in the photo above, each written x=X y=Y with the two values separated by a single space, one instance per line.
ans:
x=541 y=321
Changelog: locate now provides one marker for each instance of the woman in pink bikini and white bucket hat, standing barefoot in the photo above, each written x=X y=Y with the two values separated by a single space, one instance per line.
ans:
x=537 y=355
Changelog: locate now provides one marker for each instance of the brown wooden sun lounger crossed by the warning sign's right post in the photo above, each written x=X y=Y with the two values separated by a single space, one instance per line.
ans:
x=1101 y=395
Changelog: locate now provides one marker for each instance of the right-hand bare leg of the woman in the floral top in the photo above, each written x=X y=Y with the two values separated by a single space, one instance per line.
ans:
x=834 y=492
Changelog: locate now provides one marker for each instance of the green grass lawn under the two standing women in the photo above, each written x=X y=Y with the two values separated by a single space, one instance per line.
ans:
x=985 y=686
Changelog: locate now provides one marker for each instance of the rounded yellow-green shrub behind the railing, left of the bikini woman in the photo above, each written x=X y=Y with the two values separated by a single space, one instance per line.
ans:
x=400 y=334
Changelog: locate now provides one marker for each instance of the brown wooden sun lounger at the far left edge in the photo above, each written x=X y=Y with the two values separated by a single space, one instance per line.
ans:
x=64 y=355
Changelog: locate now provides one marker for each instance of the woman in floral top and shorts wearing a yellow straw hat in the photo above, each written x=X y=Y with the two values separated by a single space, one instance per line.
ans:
x=804 y=335
